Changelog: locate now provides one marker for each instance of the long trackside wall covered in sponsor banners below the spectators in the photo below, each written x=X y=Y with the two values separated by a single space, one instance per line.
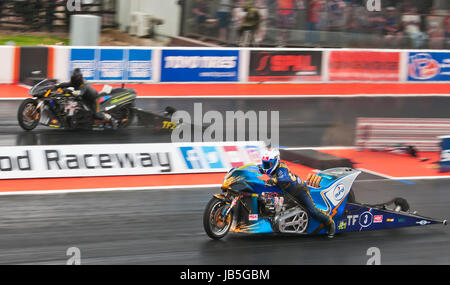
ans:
x=224 y=65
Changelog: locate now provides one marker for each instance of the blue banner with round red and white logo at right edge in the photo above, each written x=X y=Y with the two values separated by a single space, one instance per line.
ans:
x=429 y=66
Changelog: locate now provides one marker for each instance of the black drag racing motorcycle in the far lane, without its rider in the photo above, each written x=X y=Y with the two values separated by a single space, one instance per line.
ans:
x=61 y=109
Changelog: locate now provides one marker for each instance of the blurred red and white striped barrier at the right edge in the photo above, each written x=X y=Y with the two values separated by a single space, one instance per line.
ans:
x=382 y=133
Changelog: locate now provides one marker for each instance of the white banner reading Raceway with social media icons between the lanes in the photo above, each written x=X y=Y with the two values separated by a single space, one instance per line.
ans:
x=124 y=159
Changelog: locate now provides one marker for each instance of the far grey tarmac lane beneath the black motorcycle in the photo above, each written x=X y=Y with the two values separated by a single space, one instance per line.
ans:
x=302 y=122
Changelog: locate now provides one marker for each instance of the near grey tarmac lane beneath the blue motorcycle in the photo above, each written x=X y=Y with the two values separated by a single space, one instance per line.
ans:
x=165 y=227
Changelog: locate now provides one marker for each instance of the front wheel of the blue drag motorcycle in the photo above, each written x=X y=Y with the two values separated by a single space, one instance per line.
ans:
x=215 y=226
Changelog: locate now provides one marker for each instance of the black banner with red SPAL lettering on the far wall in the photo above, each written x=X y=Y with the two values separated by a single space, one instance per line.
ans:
x=285 y=66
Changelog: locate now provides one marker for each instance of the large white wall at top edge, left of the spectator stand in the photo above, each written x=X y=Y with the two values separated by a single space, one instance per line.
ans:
x=167 y=10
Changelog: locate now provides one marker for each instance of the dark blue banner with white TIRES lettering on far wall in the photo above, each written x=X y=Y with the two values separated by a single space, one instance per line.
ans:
x=199 y=65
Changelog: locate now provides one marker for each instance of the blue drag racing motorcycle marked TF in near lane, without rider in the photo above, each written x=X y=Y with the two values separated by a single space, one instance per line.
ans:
x=249 y=205
